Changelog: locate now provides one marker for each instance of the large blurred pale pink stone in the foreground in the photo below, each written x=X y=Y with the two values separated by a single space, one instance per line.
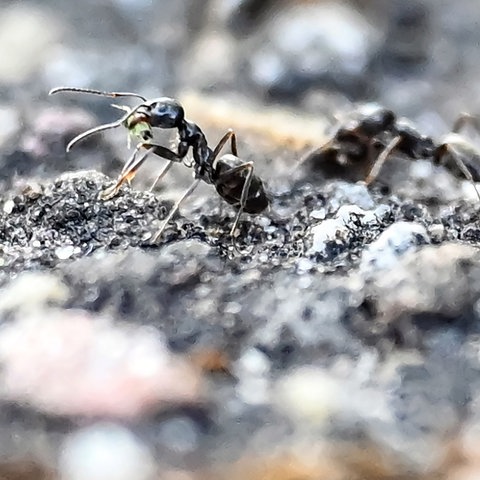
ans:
x=70 y=363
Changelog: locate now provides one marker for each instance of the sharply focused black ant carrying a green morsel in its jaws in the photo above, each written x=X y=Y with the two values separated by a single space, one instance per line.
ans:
x=233 y=178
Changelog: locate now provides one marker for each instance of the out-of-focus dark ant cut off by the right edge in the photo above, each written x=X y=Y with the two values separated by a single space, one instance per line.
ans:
x=372 y=133
